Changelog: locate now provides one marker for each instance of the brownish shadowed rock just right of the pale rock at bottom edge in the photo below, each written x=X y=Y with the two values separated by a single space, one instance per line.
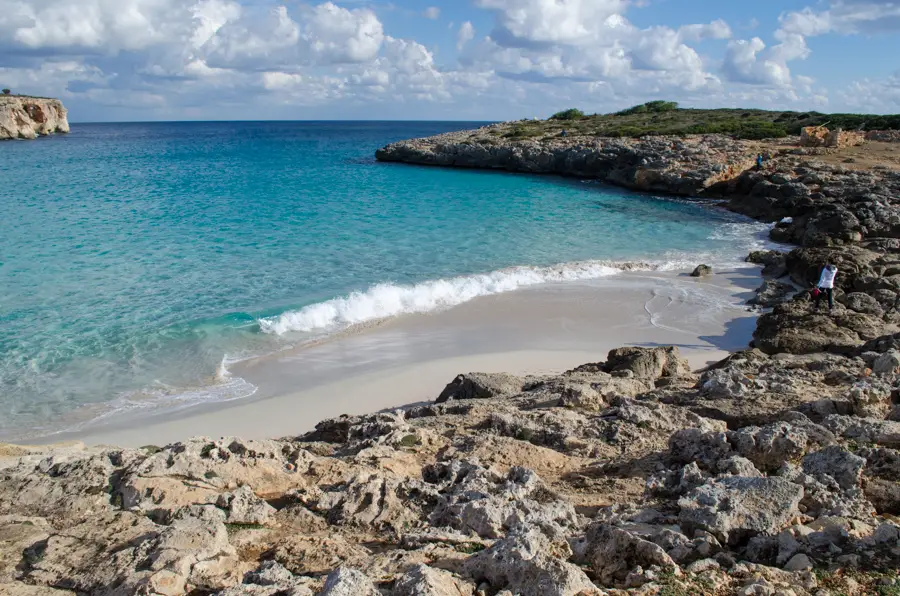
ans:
x=613 y=553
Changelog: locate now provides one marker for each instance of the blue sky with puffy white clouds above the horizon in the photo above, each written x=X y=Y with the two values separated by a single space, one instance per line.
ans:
x=142 y=60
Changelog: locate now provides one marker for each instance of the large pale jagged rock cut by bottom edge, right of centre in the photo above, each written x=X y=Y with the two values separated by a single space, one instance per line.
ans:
x=528 y=564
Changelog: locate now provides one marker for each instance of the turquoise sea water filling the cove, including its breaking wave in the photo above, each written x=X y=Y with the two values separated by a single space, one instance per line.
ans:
x=138 y=259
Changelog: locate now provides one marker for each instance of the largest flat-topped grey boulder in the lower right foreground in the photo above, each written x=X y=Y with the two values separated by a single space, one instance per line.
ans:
x=736 y=508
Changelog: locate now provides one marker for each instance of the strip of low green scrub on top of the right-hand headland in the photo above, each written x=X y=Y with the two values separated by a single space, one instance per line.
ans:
x=668 y=118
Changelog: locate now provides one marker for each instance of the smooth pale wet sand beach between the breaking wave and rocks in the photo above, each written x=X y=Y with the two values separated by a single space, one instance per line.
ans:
x=410 y=359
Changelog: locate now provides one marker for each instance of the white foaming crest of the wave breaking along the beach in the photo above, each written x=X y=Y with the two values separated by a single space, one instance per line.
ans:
x=386 y=300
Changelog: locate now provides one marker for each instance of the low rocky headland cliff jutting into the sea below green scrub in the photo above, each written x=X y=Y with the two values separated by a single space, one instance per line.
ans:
x=681 y=166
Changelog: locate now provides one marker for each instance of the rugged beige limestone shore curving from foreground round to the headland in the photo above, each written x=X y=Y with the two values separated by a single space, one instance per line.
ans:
x=773 y=472
